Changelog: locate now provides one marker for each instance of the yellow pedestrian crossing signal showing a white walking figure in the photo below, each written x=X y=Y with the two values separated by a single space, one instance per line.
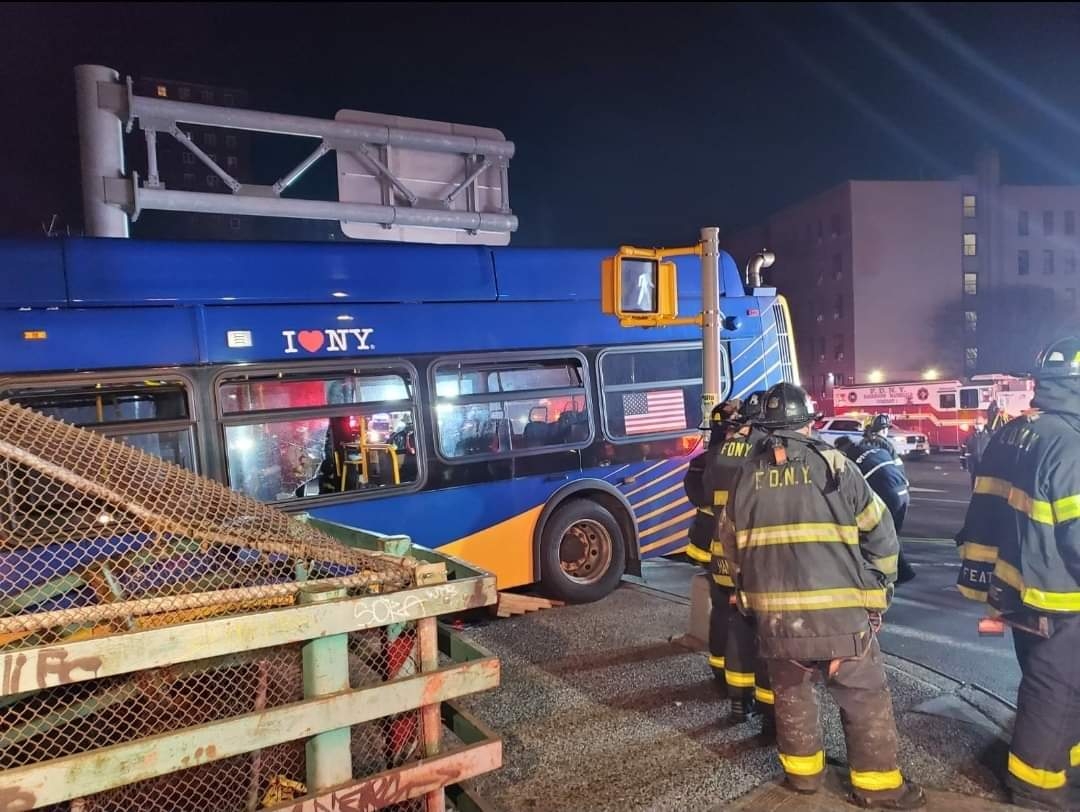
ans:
x=639 y=288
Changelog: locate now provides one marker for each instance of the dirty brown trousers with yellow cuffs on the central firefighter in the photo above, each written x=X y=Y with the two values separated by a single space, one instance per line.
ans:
x=859 y=687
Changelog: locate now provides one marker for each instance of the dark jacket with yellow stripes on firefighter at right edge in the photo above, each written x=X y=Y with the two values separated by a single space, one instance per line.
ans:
x=1021 y=538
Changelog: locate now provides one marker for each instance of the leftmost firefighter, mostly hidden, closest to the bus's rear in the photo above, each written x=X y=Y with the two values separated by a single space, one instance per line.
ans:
x=723 y=422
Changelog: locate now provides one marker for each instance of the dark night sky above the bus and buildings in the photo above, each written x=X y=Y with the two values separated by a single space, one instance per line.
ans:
x=634 y=123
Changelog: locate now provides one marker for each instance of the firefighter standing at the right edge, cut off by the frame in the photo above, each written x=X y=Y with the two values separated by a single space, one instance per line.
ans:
x=1021 y=551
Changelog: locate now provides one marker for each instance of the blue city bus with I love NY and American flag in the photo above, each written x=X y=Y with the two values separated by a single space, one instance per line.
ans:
x=475 y=399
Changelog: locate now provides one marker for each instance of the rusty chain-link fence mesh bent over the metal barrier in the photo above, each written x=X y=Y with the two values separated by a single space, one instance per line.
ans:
x=98 y=538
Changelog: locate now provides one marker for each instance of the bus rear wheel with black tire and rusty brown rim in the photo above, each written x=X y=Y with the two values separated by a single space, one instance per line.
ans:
x=583 y=552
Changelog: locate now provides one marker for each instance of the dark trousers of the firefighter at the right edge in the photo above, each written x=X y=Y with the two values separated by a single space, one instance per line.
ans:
x=1045 y=753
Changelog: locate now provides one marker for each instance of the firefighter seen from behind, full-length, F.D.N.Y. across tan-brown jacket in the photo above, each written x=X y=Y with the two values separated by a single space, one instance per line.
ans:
x=815 y=557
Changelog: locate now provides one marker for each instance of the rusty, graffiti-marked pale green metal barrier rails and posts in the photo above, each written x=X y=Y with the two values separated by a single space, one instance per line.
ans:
x=321 y=619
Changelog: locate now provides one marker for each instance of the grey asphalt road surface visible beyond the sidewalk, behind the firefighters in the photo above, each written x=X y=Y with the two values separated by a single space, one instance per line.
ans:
x=929 y=622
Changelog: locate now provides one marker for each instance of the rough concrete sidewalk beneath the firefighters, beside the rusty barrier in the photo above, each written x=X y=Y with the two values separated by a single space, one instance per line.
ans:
x=601 y=711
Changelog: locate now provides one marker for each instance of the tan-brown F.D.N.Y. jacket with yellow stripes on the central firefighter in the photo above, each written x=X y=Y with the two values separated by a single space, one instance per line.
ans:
x=814 y=547
